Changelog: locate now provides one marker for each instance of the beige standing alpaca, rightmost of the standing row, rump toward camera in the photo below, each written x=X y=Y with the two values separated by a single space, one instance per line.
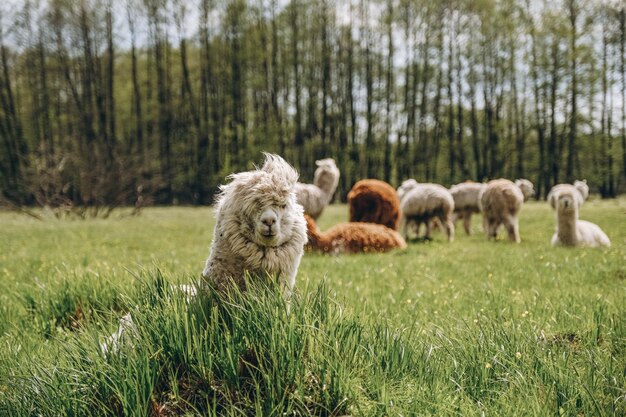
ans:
x=500 y=202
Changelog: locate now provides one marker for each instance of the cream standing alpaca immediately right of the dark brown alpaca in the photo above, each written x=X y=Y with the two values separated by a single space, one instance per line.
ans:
x=421 y=203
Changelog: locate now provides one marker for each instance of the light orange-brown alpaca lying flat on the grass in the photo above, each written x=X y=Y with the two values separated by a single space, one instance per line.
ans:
x=353 y=238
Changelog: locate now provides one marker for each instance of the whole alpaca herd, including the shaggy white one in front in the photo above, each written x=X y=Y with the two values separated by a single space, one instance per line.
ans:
x=265 y=218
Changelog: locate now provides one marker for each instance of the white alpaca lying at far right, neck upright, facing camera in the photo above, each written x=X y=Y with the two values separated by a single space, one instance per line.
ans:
x=569 y=230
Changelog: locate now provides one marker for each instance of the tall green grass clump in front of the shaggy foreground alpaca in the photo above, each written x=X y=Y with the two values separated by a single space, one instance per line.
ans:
x=215 y=354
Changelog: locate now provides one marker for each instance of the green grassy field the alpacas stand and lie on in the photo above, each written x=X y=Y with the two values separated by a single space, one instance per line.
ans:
x=467 y=328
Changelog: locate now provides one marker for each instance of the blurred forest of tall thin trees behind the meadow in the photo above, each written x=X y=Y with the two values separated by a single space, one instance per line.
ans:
x=136 y=102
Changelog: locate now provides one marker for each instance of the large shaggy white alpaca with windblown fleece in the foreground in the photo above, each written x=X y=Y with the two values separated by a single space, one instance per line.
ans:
x=260 y=227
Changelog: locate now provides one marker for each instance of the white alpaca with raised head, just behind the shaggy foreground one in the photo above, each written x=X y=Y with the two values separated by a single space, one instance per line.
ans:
x=314 y=197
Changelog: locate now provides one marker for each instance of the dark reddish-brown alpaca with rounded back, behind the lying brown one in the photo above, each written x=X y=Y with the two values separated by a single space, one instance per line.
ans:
x=374 y=201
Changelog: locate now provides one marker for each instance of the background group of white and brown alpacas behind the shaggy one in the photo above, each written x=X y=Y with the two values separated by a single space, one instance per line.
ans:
x=415 y=204
